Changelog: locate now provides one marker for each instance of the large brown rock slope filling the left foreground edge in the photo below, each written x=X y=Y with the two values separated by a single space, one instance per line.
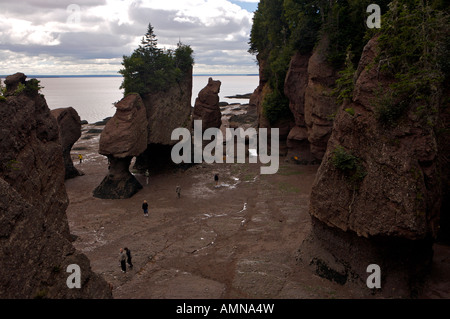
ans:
x=35 y=241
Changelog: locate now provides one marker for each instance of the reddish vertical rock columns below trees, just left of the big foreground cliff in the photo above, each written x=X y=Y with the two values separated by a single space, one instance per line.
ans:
x=309 y=83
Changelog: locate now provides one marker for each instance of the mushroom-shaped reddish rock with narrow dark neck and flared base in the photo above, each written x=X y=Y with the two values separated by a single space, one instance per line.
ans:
x=124 y=137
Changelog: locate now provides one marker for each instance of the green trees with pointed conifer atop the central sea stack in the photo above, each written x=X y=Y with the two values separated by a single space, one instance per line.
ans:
x=150 y=69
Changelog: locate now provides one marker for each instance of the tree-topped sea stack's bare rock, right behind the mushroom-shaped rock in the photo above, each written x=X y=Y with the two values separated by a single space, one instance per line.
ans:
x=166 y=111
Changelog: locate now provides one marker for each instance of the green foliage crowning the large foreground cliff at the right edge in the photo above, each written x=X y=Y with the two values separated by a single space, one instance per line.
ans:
x=414 y=43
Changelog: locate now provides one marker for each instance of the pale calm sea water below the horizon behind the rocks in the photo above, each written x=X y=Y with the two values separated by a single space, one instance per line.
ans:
x=94 y=97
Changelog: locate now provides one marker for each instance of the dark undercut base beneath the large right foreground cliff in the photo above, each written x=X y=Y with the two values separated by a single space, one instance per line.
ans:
x=344 y=257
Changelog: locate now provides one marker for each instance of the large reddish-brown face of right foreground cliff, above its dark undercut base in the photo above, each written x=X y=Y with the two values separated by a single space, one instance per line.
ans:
x=400 y=187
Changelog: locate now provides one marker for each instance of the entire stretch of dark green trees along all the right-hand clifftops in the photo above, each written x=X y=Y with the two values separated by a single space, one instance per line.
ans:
x=414 y=45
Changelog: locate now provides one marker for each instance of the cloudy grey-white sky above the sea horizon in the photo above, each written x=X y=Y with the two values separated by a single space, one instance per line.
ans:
x=81 y=37
